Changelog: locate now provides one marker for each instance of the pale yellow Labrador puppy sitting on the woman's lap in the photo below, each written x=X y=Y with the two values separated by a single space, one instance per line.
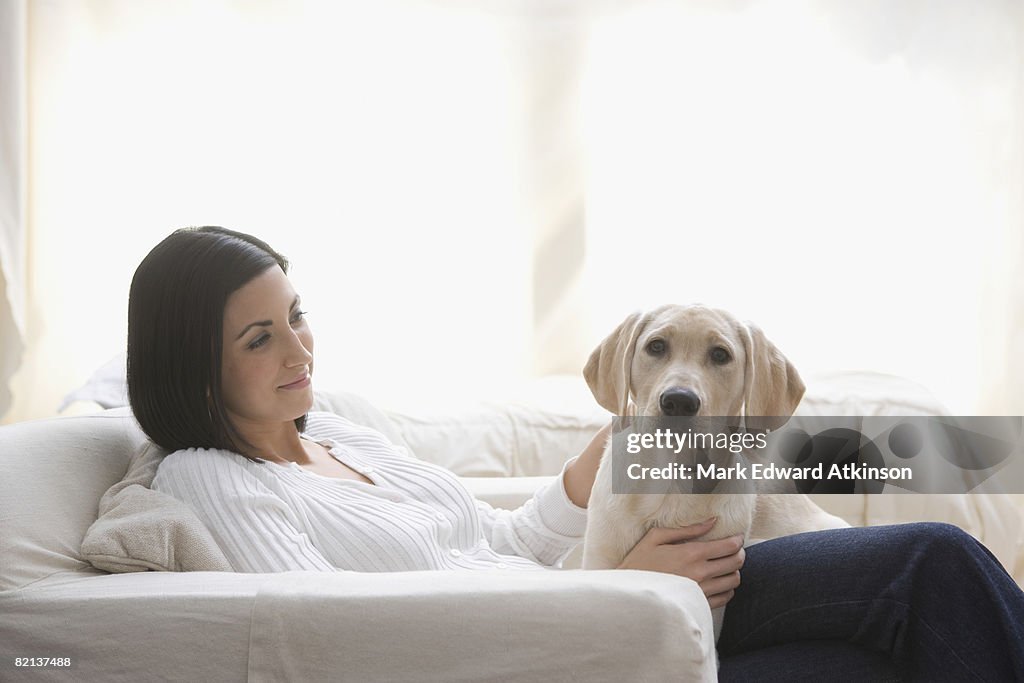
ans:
x=692 y=361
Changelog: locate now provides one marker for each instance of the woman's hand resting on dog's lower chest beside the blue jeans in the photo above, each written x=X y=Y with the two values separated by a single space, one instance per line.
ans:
x=713 y=565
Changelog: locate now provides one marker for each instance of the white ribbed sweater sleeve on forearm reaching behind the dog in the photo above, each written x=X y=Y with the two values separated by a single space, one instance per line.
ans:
x=546 y=529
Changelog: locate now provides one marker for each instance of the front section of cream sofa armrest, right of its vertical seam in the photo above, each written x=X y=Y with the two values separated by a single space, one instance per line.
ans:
x=457 y=626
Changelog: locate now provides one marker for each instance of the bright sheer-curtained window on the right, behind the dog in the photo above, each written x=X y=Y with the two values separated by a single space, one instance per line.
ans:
x=849 y=176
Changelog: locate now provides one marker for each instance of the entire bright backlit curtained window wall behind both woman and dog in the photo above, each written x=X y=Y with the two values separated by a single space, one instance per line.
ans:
x=475 y=194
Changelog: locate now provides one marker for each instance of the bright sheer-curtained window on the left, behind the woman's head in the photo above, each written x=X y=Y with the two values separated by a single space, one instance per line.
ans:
x=376 y=145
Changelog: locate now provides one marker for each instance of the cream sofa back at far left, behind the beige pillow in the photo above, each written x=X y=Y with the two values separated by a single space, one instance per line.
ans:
x=53 y=475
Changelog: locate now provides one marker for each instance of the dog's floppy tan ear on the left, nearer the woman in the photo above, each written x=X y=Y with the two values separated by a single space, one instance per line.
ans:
x=608 y=371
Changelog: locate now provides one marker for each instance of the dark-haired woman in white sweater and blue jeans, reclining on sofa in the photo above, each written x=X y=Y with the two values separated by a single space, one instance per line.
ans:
x=220 y=373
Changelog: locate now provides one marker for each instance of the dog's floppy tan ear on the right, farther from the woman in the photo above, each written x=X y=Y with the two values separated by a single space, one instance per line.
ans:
x=772 y=385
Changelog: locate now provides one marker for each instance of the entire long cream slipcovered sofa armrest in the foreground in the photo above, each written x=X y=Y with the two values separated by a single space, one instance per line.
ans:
x=452 y=626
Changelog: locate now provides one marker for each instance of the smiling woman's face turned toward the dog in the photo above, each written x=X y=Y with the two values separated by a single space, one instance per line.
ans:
x=268 y=354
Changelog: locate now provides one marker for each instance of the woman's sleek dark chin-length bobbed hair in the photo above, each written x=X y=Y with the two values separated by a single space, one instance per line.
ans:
x=176 y=335
